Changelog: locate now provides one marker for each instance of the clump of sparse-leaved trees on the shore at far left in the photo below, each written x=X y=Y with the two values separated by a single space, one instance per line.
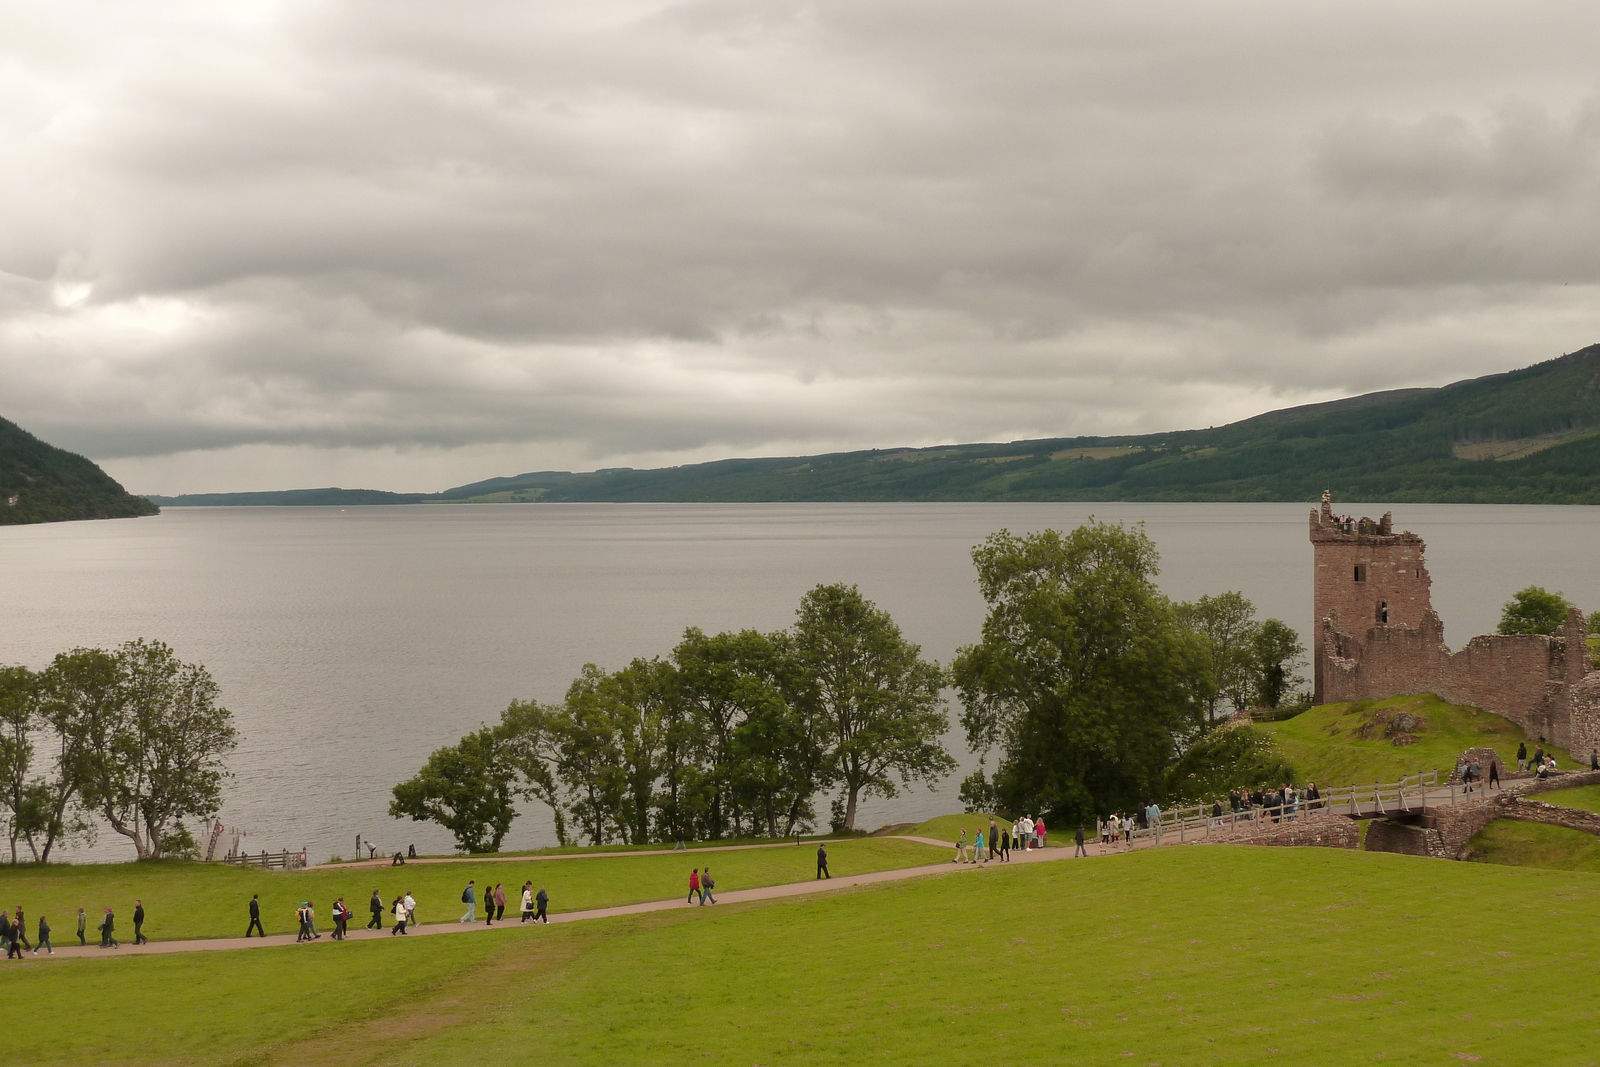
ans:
x=132 y=737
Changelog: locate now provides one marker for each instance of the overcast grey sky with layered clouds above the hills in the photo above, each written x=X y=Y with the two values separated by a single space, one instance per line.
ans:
x=399 y=246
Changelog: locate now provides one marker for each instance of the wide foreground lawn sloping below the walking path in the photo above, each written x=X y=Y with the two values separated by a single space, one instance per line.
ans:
x=1188 y=956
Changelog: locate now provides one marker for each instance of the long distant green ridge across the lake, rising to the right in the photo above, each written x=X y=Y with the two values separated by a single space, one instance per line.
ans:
x=1521 y=438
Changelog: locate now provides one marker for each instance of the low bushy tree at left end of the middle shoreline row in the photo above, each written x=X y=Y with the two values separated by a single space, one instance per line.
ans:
x=468 y=789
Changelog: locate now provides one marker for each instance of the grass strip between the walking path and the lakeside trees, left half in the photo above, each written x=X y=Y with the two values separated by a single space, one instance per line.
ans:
x=186 y=900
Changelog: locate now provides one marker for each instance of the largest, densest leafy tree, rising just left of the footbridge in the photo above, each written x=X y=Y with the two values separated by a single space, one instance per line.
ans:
x=1084 y=677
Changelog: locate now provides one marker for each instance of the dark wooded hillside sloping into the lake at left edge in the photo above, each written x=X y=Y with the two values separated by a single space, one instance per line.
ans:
x=42 y=484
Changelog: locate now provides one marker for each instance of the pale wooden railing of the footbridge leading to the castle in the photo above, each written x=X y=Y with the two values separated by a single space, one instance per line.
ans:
x=1194 y=823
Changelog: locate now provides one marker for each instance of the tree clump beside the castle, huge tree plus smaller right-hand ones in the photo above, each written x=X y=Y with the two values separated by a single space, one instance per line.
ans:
x=1094 y=687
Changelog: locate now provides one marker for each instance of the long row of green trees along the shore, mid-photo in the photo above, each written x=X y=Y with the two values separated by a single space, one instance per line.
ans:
x=734 y=735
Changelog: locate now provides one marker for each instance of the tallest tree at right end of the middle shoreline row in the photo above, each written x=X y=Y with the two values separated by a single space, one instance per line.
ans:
x=876 y=698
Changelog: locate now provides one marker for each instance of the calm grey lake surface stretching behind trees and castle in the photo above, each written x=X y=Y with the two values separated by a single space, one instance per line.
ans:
x=353 y=642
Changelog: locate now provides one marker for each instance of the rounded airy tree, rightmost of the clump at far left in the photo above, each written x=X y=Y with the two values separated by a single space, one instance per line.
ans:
x=156 y=756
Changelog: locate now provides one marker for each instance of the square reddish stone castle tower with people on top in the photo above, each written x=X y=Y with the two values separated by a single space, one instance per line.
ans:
x=1366 y=575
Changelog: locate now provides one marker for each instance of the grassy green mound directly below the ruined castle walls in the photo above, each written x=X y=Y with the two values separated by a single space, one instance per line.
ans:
x=1327 y=745
